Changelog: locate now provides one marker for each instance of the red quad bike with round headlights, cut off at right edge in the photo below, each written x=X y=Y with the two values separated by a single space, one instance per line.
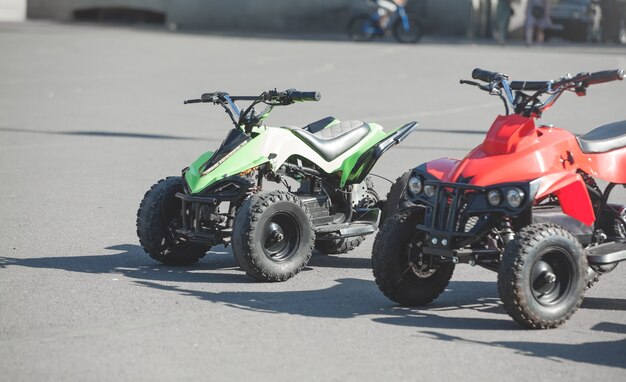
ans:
x=524 y=203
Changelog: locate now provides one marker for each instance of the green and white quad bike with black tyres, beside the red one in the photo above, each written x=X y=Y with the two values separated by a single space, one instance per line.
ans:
x=326 y=202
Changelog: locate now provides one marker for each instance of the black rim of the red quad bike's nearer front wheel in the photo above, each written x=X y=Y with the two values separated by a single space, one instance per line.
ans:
x=551 y=276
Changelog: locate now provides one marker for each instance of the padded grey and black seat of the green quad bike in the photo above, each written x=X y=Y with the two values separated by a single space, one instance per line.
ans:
x=332 y=141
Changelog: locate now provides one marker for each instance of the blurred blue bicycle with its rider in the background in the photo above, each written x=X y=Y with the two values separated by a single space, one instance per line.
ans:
x=387 y=16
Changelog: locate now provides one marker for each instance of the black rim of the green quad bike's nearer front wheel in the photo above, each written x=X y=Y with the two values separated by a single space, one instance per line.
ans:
x=281 y=237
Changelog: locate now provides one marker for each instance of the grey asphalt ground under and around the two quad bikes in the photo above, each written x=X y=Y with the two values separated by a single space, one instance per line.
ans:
x=91 y=117
